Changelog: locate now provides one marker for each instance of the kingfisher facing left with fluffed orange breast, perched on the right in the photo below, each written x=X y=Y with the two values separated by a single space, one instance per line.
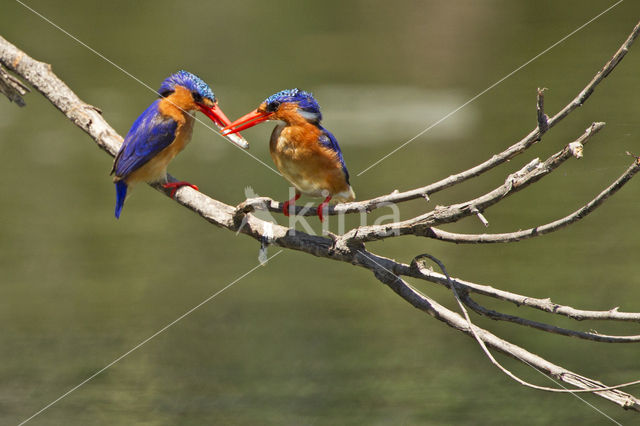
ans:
x=306 y=153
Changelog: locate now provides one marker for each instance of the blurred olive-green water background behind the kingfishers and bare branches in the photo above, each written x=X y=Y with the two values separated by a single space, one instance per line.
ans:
x=305 y=340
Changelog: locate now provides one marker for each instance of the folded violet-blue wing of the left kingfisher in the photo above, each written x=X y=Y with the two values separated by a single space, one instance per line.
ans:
x=150 y=134
